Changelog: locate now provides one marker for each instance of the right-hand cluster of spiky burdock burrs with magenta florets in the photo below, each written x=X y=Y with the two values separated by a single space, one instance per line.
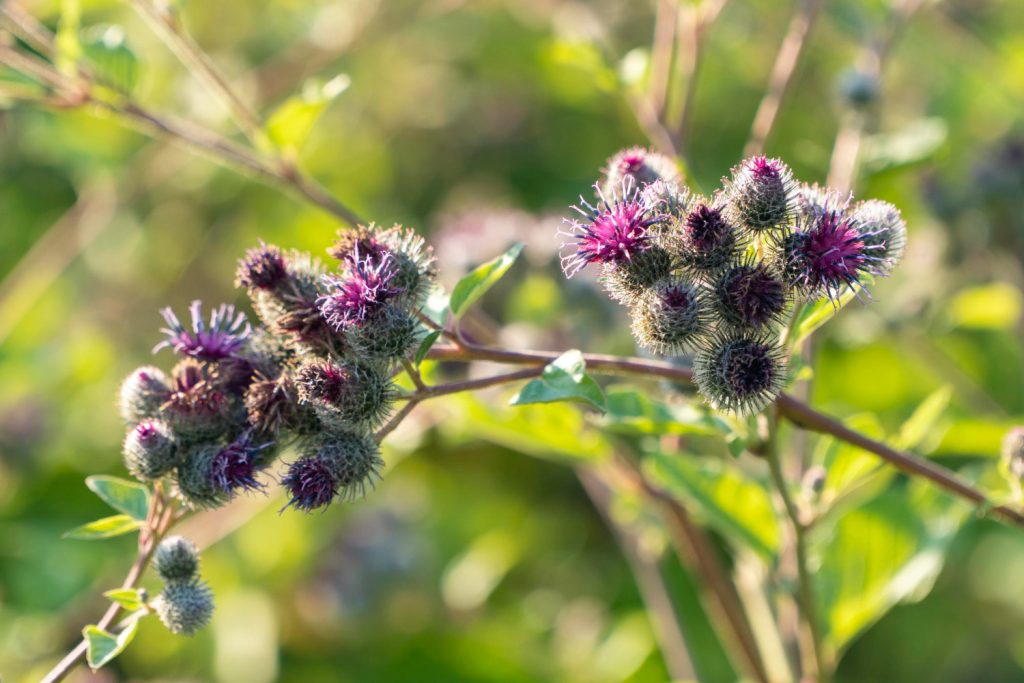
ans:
x=718 y=277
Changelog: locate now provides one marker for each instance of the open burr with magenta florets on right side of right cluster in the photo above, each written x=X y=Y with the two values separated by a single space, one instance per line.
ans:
x=828 y=254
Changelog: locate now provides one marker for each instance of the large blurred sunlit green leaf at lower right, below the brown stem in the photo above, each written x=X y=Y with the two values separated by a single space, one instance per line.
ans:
x=888 y=551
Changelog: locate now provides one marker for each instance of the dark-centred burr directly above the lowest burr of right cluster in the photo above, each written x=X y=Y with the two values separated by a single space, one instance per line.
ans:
x=749 y=296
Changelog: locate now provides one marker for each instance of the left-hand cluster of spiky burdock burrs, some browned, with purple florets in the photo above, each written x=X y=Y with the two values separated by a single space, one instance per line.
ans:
x=315 y=370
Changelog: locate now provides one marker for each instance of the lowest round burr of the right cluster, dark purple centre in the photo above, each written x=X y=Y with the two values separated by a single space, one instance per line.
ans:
x=741 y=374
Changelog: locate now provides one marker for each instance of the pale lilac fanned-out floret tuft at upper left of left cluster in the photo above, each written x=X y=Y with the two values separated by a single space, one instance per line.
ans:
x=221 y=339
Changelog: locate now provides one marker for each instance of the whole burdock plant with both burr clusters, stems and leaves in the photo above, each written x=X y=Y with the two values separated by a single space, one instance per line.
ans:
x=289 y=398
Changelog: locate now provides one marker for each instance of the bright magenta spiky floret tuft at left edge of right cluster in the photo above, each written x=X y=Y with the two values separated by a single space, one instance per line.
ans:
x=614 y=231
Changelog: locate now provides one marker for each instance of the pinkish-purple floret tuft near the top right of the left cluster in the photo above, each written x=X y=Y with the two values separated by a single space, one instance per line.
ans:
x=363 y=291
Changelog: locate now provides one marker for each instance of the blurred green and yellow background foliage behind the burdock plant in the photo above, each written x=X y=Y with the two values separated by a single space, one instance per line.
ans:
x=478 y=123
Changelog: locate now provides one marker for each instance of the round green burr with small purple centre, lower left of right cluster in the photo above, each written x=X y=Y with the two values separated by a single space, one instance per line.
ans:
x=669 y=318
